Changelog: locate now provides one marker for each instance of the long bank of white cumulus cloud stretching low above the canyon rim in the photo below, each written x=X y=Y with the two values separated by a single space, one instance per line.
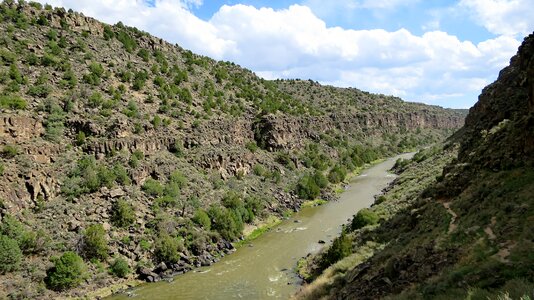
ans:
x=434 y=67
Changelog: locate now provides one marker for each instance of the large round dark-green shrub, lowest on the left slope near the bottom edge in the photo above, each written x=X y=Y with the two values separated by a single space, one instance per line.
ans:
x=68 y=271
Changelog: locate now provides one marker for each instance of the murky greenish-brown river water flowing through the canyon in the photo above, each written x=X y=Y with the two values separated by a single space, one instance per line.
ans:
x=265 y=270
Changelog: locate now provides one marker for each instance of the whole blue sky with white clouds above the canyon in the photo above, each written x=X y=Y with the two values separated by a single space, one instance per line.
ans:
x=440 y=52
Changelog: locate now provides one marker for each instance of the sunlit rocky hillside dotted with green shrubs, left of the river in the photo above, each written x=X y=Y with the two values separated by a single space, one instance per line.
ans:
x=123 y=156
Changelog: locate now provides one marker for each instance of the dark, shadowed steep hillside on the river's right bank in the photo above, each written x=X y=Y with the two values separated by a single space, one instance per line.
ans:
x=464 y=234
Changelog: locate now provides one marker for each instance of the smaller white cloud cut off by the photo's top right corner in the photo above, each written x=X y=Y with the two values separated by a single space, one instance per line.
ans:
x=506 y=17
